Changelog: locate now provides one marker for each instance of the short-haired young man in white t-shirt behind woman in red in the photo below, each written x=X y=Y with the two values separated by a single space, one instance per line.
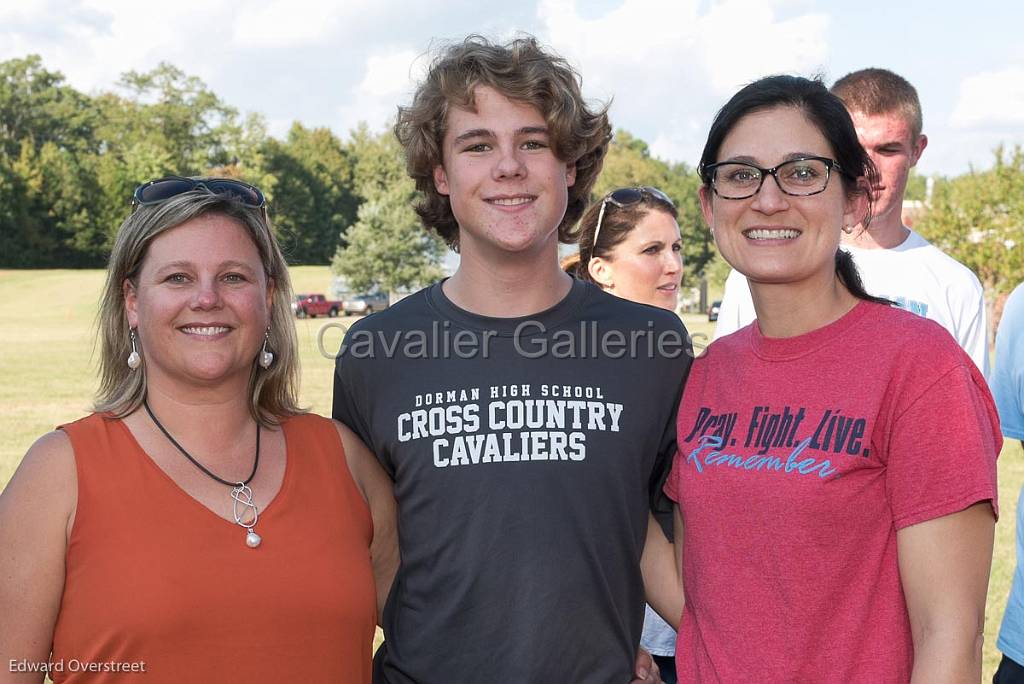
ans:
x=895 y=262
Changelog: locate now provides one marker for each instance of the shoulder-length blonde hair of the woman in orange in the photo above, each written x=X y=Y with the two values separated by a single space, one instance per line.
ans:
x=273 y=393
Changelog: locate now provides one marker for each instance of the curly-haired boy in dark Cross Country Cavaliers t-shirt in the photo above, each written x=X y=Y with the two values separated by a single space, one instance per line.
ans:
x=526 y=417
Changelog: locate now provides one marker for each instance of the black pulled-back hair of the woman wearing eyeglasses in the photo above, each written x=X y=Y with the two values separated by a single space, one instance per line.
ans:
x=830 y=116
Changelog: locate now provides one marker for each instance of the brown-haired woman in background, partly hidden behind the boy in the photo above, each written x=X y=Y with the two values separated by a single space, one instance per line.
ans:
x=630 y=246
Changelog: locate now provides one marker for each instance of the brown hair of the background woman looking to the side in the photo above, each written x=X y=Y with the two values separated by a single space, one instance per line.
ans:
x=616 y=227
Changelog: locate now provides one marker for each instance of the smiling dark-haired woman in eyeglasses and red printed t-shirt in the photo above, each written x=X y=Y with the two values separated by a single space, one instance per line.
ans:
x=836 y=476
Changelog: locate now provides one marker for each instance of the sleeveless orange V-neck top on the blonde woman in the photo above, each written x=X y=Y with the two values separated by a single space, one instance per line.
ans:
x=160 y=589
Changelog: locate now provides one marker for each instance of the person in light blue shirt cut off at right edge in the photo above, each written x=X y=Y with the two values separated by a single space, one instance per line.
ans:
x=1008 y=389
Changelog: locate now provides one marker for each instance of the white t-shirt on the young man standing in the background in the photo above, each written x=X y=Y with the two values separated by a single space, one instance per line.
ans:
x=916 y=275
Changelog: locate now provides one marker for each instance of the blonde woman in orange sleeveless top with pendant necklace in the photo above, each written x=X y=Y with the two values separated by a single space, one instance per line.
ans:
x=199 y=526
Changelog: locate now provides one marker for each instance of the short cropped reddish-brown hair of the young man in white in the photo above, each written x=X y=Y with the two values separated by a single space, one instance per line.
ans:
x=875 y=92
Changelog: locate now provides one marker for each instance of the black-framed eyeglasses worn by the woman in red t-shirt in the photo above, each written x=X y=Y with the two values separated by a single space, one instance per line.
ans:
x=797 y=178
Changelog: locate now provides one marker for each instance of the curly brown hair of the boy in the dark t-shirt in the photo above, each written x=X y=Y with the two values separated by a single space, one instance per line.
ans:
x=524 y=72
